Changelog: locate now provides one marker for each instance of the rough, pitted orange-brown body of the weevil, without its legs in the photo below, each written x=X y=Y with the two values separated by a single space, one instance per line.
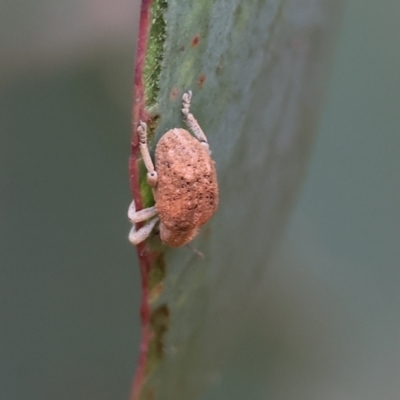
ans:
x=187 y=189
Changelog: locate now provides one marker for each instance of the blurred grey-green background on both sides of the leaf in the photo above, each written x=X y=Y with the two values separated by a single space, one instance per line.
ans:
x=327 y=320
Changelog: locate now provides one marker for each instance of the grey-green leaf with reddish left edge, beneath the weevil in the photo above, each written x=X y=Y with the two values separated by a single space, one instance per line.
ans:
x=257 y=71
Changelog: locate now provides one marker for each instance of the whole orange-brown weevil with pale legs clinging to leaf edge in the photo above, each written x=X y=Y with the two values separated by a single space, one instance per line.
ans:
x=184 y=183
